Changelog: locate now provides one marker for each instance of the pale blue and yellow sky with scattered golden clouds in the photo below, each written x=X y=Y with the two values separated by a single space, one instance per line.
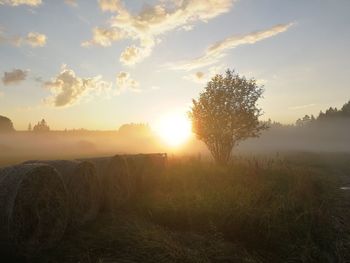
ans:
x=99 y=64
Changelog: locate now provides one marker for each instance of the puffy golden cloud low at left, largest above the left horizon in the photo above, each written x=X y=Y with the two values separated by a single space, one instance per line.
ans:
x=67 y=89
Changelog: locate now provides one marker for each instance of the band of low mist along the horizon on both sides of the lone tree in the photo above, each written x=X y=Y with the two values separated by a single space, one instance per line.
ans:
x=328 y=136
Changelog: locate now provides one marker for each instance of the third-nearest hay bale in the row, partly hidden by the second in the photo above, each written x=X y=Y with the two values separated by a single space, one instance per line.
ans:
x=113 y=176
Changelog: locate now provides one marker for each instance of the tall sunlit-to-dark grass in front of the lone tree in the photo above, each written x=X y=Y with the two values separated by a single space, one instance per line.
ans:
x=273 y=209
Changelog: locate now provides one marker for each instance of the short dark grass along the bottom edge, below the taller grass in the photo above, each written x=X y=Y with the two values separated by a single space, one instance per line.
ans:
x=129 y=238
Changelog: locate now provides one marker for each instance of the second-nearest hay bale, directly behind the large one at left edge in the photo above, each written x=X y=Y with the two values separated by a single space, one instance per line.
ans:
x=82 y=186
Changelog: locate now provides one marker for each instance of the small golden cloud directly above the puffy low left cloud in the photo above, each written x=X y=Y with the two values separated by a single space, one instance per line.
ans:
x=104 y=37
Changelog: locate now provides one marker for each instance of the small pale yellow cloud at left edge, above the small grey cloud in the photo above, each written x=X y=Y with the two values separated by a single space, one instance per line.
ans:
x=33 y=39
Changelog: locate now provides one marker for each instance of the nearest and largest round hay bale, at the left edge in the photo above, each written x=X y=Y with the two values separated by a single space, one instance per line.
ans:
x=33 y=208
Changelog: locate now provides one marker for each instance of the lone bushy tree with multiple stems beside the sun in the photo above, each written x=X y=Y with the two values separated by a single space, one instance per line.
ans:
x=227 y=113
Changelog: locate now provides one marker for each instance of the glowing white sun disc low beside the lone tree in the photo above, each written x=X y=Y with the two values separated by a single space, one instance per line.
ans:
x=174 y=129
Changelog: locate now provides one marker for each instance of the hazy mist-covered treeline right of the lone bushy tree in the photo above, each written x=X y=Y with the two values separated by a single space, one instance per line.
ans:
x=327 y=132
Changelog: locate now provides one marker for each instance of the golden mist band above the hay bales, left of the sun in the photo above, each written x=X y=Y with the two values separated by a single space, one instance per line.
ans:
x=20 y=146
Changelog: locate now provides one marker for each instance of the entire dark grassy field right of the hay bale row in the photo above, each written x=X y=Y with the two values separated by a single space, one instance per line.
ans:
x=255 y=210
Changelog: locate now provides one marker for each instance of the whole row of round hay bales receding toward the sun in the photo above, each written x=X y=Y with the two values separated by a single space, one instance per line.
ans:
x=39 y=199
